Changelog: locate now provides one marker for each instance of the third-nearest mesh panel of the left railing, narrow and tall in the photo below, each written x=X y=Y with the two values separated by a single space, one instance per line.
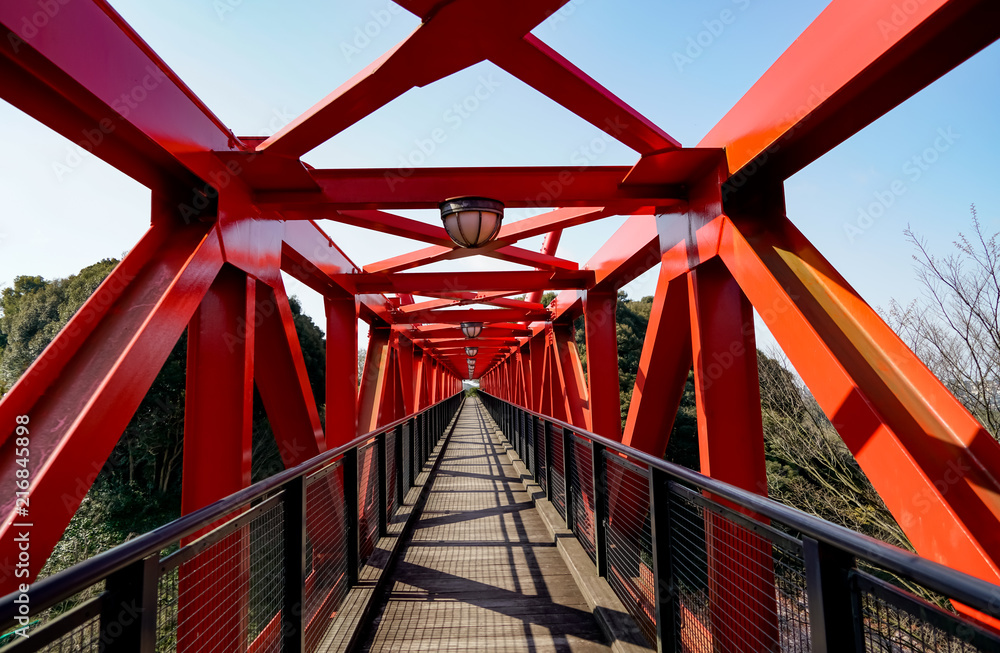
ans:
x=326 y=550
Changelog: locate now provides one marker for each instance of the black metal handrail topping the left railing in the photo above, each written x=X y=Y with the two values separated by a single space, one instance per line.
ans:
x=56 y=588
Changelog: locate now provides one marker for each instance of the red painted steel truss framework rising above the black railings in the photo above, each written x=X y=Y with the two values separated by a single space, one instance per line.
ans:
x=229 y=215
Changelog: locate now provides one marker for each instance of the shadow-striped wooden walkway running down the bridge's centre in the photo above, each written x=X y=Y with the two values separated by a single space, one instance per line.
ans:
x=480 y=572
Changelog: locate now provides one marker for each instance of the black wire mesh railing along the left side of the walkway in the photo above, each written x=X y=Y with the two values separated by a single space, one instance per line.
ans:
x=264 y=570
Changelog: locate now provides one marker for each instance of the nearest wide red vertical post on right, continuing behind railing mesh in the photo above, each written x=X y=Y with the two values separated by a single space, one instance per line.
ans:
x=731 y=444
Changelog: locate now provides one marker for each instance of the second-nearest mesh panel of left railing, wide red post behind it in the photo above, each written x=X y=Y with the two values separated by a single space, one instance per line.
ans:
x=247 y=568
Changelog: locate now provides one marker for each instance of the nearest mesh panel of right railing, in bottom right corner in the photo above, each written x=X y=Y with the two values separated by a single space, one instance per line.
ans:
x=893 y=620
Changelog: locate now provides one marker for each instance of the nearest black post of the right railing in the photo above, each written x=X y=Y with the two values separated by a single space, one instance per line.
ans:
x=832 y=626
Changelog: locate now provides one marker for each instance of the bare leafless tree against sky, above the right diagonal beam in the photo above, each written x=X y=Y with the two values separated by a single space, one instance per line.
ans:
x=955 y=327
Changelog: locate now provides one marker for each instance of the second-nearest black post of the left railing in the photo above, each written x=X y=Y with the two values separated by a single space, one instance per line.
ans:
x=293 y=507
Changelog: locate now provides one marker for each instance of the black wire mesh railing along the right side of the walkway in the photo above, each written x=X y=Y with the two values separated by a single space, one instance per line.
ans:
x=703 y=566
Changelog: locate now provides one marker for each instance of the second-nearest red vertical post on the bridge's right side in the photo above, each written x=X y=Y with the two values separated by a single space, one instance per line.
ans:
x=602 y=363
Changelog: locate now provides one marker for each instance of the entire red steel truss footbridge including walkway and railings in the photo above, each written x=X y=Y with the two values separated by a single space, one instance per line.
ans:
x=526 y=518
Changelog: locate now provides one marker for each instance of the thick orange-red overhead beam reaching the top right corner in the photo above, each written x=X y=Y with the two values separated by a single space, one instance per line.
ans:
x=858 y=60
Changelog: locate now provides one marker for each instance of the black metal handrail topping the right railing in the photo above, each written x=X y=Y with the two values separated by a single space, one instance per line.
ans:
x=969 y=590
